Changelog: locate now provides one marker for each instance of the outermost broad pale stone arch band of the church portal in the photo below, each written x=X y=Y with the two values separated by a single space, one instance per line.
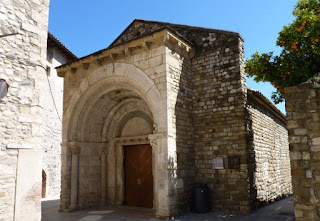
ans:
x=110 y=77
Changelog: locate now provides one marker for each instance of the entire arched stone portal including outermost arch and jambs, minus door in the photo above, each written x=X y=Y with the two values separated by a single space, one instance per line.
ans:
x=112 y=114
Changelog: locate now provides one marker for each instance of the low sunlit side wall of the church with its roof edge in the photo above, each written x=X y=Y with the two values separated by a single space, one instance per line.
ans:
x=270 y=151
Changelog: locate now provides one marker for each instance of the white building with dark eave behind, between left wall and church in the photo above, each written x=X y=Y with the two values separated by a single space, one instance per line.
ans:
x=57 y=54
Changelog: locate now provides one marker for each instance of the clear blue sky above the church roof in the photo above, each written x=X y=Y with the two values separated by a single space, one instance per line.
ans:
x=87 y=26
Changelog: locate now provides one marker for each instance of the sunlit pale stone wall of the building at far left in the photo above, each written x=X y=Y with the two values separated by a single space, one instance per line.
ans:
x=22 y=110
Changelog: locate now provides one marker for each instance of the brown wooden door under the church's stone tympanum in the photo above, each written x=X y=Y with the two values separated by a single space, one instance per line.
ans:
x=138 y=176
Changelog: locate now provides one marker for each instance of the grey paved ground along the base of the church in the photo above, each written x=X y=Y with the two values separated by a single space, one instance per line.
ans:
x=279 y=211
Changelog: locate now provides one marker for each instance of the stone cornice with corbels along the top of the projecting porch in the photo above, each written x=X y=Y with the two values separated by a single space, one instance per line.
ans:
x=164 y=36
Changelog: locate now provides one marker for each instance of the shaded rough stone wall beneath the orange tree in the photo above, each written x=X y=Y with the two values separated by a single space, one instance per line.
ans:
x=303 y=117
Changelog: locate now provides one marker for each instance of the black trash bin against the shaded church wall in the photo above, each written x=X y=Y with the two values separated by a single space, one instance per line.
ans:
x=201 y=198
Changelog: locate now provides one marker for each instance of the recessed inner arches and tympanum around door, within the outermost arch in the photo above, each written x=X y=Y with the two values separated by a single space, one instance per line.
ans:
x=117 y=119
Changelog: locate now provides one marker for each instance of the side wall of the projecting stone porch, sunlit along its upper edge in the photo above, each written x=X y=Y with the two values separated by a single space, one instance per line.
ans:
x=179 y=81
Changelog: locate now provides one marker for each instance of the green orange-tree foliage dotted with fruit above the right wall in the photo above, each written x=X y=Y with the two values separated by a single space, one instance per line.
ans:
x=299 y=59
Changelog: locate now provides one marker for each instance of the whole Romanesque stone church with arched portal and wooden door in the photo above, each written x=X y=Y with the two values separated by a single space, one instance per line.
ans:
x=163 y=107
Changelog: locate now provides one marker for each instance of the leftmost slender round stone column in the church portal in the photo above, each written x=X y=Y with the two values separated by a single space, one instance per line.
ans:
x=75 y=152
